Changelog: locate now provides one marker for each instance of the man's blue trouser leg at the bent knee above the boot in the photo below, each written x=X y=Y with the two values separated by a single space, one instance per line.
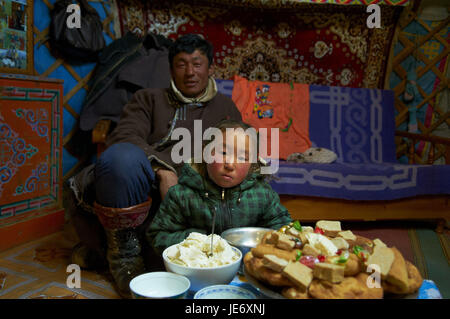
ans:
x=123 y=176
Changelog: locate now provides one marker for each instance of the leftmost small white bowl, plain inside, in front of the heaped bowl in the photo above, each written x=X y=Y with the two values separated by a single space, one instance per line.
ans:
x=159 y=285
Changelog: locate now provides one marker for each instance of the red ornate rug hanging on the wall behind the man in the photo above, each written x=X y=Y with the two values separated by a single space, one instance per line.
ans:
x=273 y=41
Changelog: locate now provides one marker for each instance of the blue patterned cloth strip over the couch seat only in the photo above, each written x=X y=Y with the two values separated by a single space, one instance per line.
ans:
x=368 y=181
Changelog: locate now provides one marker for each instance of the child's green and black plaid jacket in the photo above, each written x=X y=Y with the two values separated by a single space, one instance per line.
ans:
x=189 y=207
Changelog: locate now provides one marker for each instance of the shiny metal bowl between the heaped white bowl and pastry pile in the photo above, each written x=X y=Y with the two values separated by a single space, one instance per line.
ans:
x=244 y=238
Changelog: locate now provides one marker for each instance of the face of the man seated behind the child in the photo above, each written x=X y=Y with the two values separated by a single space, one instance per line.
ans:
x=190 y=72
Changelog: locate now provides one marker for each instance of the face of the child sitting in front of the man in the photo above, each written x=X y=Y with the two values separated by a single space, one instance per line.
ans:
x=226 y=171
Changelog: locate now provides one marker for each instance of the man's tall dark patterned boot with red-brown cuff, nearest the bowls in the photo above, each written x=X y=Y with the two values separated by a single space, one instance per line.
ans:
x=123 y=247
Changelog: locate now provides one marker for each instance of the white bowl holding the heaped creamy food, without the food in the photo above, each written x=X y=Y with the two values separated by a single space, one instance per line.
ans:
x=201 y=277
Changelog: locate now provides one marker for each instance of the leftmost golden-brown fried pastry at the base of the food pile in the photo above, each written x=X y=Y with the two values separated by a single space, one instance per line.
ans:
x=255 y=267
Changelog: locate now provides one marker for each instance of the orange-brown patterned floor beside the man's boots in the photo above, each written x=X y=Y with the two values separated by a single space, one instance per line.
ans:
x=38 y=270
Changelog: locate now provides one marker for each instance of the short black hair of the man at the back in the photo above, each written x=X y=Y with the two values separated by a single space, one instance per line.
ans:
x=189 y=43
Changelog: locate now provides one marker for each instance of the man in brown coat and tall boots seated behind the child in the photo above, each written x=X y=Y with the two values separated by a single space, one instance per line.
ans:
x=138 y=156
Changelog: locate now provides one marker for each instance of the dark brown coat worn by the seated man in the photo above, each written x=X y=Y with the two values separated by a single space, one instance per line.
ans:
x=149 y=119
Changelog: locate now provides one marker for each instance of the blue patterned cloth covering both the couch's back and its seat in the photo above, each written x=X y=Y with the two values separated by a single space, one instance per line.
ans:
x=359 y=126
